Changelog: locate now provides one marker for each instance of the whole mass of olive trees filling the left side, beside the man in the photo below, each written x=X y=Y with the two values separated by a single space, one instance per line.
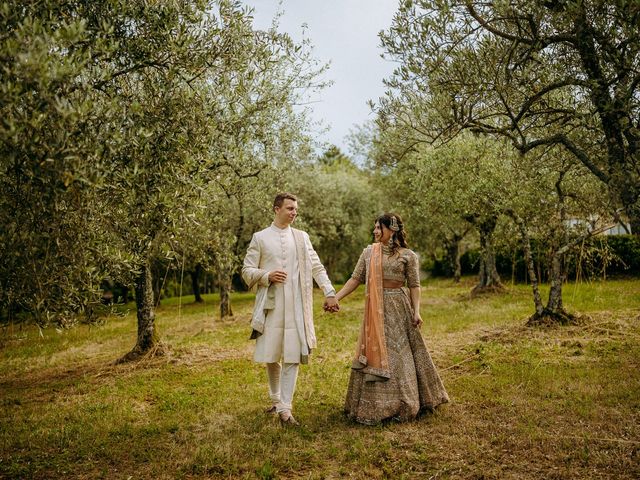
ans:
x=133 y=132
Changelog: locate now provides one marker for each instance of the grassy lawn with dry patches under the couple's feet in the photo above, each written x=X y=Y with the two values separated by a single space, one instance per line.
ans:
x=546 y=403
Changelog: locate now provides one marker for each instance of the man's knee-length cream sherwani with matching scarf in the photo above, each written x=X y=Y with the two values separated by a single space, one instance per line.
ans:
x=283 y=315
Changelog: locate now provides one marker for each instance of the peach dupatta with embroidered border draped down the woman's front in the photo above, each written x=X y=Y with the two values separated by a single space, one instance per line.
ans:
x=371 y=356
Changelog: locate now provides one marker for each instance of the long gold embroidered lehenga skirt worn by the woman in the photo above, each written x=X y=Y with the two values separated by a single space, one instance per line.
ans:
x=414 y=386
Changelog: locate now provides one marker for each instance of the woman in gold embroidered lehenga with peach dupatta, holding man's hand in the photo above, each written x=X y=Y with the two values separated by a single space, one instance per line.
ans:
x=392 y=376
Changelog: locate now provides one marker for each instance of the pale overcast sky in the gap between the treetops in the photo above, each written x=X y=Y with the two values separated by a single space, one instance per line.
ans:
x=345 y=33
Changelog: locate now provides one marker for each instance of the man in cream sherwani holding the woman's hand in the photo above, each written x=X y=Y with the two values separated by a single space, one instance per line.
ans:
x=281 y=261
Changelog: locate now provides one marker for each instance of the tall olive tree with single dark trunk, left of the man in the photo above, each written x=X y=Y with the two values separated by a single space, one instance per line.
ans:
x=205 y=118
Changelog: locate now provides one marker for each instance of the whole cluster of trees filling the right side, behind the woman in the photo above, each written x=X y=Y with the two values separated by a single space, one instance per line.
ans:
x=552 y=90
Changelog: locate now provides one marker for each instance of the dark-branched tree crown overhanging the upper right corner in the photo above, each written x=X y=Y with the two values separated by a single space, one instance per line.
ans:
x=560 y=74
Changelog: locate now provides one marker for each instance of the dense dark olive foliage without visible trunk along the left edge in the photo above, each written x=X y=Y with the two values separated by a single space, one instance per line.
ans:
x=55 y=140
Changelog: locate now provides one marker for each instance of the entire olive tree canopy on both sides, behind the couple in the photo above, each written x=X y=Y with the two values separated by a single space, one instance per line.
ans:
x=140 y=134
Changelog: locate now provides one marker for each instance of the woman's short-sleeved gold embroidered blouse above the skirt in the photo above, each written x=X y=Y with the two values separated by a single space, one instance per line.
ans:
x=401 y=266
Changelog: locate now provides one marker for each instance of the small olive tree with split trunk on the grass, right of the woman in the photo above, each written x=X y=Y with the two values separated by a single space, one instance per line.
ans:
x=561 y=205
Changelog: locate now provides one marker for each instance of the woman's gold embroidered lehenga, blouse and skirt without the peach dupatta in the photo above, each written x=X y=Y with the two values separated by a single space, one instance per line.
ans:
x=413 y=385
